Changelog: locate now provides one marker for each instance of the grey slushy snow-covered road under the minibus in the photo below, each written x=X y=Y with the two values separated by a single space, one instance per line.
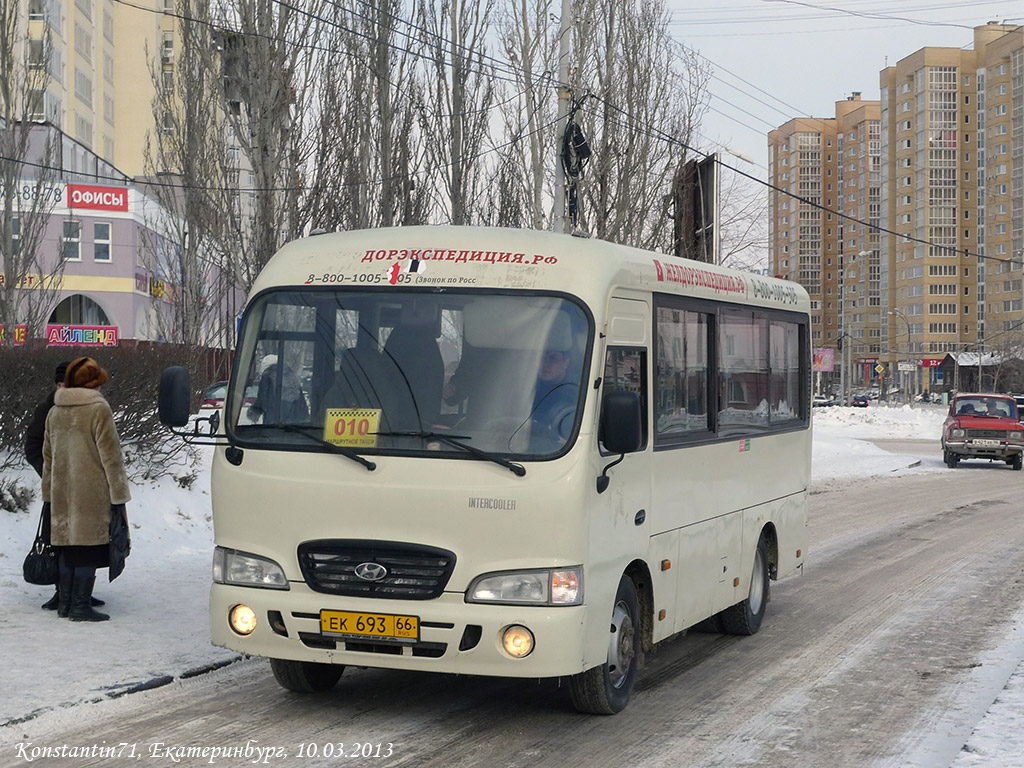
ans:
x=886 y=653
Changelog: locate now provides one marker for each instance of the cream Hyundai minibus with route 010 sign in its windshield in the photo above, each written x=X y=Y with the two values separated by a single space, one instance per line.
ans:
x=504 y=453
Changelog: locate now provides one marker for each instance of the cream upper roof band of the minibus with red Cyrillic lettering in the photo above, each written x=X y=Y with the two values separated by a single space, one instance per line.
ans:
x=478 y=258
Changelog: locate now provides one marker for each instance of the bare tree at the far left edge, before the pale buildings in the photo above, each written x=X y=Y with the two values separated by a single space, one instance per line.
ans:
x=30 y=279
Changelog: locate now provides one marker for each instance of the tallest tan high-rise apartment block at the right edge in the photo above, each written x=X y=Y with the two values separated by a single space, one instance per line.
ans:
x=949 y=201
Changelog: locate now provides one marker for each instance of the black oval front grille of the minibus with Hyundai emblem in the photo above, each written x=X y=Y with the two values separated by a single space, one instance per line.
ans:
x=413 y=572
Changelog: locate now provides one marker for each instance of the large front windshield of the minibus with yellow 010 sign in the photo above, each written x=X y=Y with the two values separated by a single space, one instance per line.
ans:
x=411 y=372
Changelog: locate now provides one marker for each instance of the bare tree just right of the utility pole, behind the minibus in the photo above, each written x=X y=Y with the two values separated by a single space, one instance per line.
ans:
x=644 y=102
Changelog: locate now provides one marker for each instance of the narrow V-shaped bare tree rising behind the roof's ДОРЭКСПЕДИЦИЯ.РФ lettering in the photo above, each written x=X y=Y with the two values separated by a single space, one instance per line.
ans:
x=459 y=96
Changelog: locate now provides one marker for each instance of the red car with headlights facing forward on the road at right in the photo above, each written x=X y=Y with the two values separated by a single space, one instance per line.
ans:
x=984 y=426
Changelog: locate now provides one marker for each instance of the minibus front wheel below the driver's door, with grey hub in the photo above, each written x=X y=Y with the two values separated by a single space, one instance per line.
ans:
x=607 y=690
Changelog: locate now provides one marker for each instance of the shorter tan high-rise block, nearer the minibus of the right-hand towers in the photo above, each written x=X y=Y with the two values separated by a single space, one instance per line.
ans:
x=826 y=175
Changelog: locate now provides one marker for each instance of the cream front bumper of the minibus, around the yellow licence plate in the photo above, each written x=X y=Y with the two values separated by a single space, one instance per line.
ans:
x=454 y=636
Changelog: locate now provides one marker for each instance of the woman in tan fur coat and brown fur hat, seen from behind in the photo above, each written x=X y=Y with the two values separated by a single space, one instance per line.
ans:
x=83 y=477
